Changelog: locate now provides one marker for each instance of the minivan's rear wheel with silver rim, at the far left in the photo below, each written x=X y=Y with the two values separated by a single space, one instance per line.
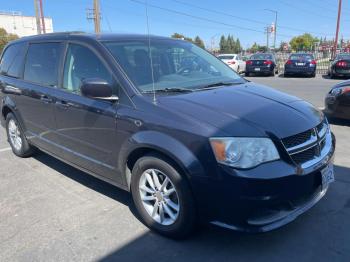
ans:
x=16 y=138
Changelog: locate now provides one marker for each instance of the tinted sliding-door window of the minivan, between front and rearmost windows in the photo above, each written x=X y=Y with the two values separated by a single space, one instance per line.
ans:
x=42 y=63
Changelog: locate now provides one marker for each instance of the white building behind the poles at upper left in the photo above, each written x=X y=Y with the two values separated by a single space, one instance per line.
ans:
x=16 y=23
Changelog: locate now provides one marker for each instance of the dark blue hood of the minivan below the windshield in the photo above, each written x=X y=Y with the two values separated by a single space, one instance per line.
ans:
x=246 y=110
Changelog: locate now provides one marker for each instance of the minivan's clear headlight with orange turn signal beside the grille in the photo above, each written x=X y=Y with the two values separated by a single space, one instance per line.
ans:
x=243 y=152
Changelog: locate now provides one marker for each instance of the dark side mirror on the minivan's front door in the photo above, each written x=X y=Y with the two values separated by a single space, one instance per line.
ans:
x=98 y=89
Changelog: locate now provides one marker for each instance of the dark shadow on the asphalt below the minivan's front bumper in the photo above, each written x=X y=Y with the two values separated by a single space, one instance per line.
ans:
x=296 y=241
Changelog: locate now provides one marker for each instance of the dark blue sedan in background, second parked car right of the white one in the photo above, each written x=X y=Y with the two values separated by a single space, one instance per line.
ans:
x=300 y=64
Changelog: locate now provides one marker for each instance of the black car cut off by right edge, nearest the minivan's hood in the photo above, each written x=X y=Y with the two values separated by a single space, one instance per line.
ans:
x=337 y=102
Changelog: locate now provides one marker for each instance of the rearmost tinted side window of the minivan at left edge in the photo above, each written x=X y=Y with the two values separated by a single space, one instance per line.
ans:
x=12 y=60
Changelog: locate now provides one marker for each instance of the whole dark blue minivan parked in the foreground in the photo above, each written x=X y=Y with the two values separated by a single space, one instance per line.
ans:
x=162 y=118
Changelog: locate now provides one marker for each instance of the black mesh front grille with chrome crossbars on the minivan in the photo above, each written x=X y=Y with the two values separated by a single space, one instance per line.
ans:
x=309 y=146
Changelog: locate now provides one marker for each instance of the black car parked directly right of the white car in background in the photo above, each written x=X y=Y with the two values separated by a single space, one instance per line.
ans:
x=261 y=64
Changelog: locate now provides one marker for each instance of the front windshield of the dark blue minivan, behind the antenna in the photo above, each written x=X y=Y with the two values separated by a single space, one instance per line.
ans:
x=176 y=65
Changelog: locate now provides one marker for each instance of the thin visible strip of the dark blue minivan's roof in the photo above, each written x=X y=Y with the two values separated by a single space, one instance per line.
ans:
x=88 y=36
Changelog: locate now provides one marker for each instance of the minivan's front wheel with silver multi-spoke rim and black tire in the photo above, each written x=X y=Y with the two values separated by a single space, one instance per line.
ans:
x=163 y=197
